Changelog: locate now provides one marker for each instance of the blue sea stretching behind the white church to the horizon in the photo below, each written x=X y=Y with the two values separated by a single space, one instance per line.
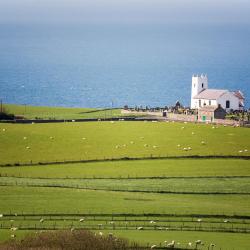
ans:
x=93 y=66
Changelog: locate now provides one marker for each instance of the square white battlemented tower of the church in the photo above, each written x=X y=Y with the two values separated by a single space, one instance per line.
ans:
x=199 y=83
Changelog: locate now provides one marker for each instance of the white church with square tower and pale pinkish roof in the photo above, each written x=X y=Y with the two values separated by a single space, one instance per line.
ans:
x=203 y=96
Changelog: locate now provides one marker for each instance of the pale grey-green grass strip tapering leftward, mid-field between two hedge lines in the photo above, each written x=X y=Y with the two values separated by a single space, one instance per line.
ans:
x=180 y=185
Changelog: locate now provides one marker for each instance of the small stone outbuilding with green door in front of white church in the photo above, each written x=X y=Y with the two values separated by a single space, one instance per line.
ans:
x=210 y=113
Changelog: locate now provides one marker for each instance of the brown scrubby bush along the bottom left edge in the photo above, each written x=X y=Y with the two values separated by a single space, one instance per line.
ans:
x=65 y=239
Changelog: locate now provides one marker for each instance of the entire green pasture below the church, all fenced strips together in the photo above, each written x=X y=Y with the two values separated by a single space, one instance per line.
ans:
x=187 y=199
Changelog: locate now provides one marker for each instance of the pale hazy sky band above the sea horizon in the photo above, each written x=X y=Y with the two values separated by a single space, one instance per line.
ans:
x=124 y=11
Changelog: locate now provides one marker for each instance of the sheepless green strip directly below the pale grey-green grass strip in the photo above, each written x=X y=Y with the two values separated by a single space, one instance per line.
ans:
x=58 y=200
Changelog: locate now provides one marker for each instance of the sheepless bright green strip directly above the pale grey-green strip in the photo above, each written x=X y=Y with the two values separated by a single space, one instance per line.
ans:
x=141 y=168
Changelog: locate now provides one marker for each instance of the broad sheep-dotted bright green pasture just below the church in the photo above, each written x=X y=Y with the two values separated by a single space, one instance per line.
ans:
x=76 y=141
